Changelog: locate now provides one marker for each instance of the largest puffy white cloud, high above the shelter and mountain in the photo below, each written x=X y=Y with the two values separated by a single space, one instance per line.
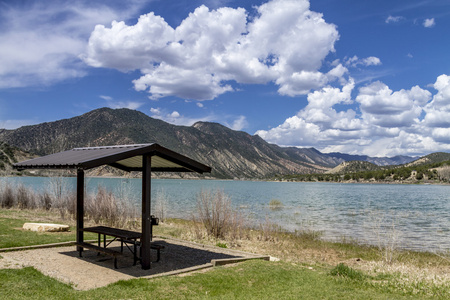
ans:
x=284 y=43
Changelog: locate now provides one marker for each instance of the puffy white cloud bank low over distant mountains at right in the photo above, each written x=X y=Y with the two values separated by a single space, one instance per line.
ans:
x=383 y=123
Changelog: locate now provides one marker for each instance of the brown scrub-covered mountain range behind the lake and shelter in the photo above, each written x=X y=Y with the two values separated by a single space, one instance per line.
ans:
x=230 y=153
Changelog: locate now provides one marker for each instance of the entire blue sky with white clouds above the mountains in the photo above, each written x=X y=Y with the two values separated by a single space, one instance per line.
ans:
x=360 y=77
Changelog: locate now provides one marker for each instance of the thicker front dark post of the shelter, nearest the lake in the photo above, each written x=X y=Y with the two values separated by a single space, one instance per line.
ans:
x=146 y=217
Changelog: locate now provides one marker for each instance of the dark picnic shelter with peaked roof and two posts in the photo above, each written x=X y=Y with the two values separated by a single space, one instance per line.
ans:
x=145 y=158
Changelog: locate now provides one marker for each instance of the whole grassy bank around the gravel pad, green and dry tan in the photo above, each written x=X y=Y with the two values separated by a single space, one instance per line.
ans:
x=309 y=268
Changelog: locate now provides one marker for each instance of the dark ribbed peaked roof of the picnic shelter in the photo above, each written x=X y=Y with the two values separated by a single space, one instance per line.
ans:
x=124 y=157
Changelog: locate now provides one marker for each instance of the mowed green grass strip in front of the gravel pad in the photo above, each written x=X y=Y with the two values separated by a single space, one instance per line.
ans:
x=248 y=280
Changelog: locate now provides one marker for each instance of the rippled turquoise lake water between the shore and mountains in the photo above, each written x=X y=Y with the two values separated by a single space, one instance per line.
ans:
x=416 y=217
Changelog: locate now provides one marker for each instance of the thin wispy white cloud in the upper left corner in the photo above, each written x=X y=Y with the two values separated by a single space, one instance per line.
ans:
x=41 y=40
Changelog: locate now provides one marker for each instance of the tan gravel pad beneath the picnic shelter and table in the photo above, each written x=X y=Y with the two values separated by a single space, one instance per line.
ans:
x=93 y=271
